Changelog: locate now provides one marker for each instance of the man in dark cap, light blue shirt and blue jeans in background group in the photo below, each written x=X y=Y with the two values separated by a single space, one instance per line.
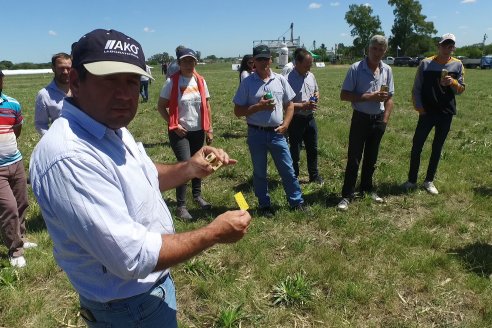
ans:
x=265 y=99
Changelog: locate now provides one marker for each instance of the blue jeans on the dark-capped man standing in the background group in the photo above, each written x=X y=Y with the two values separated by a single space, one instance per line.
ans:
x=260 y=143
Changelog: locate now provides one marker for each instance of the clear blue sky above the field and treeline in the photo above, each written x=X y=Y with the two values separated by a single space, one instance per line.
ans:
x=33 y=30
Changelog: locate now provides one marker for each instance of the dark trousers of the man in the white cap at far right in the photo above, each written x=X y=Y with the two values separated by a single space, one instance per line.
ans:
x=442 y=124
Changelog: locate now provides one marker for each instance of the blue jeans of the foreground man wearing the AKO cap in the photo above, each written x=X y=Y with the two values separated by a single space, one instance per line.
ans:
x=153 y=309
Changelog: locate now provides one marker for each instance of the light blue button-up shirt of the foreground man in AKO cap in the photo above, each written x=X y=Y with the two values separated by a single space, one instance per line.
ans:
x=99 y=196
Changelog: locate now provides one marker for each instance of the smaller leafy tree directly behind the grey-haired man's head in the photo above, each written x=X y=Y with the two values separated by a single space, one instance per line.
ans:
x=364 y=25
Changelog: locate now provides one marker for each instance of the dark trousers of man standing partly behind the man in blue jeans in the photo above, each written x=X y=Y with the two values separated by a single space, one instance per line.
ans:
x=303 y=128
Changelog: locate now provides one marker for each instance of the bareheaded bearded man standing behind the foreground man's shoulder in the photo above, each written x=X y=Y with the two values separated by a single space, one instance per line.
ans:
x=49 y=100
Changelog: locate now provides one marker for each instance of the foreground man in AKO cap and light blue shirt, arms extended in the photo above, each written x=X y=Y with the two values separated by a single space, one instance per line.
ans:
x=100 y=194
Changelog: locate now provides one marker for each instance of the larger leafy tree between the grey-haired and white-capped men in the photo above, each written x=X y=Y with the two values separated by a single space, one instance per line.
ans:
x=409 y=28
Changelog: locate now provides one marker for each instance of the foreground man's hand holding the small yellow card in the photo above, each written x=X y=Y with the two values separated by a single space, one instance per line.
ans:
x=230 y=226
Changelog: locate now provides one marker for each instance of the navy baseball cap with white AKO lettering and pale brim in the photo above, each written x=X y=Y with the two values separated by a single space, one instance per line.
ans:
x=106 y=52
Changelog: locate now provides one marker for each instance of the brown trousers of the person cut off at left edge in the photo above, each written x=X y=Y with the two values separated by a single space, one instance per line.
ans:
x=13 y=205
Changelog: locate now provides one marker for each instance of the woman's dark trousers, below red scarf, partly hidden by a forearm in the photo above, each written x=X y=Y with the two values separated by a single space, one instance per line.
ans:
x=184 y=148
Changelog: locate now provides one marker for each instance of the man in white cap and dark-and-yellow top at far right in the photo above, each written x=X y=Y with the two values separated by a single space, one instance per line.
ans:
x=439 y=78
